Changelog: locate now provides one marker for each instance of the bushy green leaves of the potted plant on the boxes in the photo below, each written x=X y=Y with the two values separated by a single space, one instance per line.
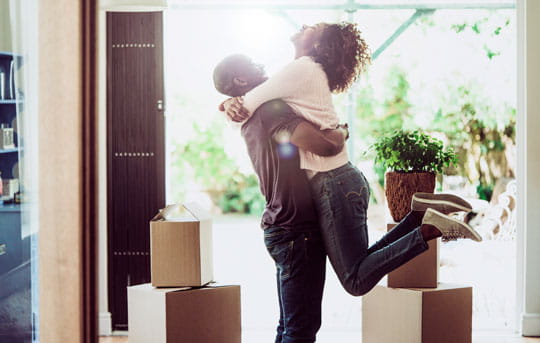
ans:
x=413 y=151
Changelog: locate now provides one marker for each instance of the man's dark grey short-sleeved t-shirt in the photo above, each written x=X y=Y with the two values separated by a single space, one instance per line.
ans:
x=284 y=185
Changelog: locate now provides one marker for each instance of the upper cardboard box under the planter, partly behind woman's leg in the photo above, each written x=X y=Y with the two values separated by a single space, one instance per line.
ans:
x=421 y=272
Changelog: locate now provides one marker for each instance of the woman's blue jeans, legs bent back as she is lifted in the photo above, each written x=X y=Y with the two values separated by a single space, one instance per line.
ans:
x=341 y=196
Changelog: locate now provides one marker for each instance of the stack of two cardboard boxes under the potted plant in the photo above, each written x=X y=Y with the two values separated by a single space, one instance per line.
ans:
x=416 y=307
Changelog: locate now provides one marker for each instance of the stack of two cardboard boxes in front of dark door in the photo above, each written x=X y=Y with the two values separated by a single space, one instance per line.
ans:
x=179 y=305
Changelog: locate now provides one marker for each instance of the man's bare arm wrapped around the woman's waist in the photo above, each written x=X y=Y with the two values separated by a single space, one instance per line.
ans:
x=320 y=142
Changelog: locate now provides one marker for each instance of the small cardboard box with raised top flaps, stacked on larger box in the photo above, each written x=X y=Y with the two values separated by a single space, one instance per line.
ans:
x=181 y=247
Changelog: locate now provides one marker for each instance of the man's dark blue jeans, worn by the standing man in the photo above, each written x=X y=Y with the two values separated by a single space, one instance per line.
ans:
x=301 y=266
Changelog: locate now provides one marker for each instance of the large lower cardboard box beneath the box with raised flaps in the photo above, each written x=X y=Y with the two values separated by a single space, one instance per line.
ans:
x=184 y=315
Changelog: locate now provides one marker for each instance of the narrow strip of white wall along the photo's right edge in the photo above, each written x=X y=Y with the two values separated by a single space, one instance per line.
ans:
x=529 y=161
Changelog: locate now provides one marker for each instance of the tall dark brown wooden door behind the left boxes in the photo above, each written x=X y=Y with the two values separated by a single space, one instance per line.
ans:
x=136 y=149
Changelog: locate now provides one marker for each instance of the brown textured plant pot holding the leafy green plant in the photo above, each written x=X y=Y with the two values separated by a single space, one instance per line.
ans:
x=400 y=187
